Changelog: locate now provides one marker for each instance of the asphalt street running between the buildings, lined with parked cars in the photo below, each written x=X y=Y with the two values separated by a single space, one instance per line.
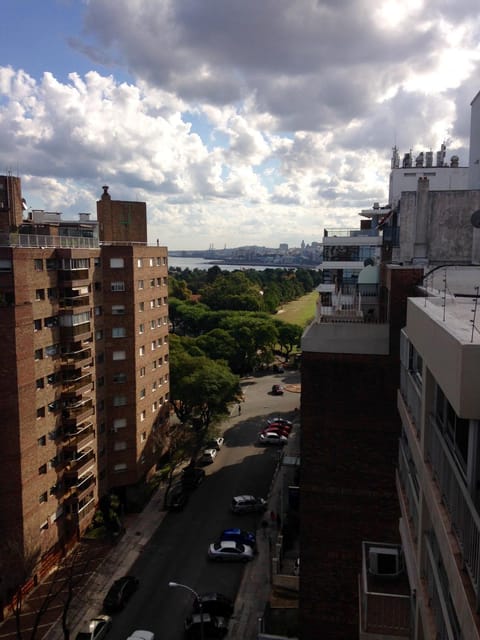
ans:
x=160 y=547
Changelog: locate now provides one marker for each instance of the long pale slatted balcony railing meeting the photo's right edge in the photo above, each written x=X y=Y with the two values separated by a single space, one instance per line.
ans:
x=458 y=502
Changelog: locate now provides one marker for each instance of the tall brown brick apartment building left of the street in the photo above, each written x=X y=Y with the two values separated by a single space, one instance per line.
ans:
x=84 y=373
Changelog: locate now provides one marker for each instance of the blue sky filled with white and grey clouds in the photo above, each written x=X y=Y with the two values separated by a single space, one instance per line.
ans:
x=238 y=122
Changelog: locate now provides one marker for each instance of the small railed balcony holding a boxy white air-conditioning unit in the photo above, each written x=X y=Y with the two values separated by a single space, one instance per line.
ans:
x=384 y=593
